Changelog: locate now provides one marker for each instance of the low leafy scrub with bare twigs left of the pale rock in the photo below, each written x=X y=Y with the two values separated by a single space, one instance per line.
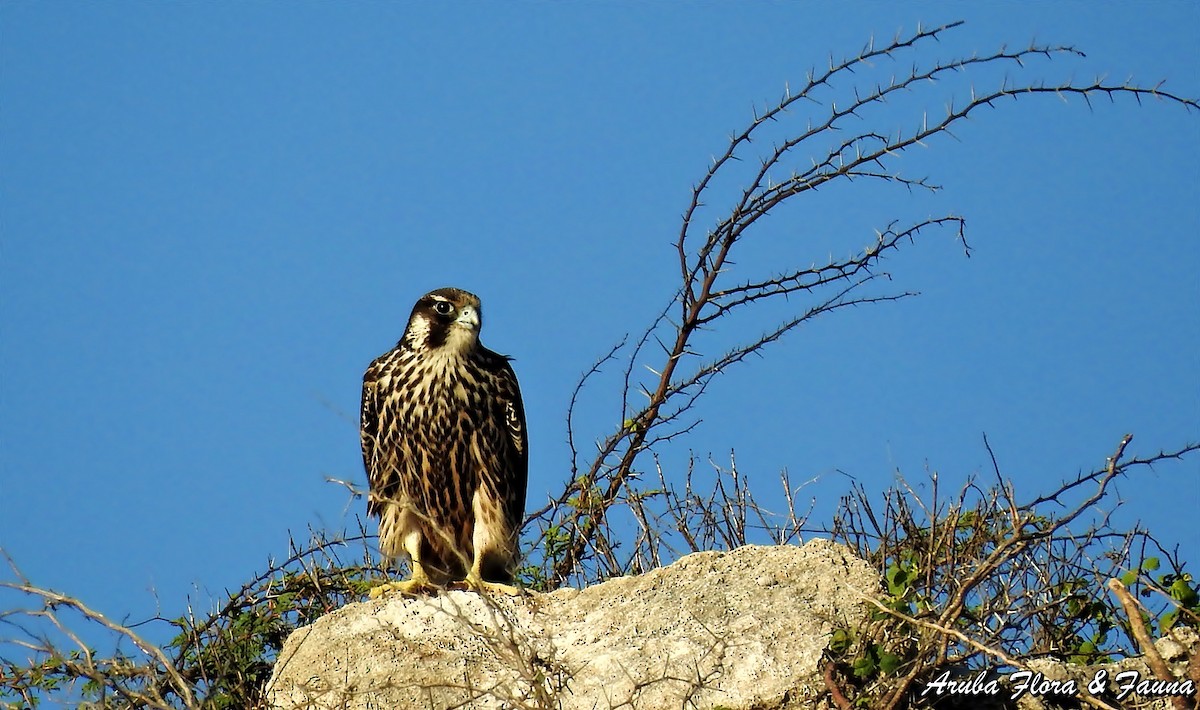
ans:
x=221 y=659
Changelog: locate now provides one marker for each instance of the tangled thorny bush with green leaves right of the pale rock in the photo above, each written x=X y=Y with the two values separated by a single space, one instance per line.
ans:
x=988 y=575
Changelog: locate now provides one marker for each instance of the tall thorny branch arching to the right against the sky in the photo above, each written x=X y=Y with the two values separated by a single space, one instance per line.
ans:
x=710 y=297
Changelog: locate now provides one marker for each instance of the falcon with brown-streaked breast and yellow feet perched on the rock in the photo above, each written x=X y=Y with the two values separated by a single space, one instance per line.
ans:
x=446 y=449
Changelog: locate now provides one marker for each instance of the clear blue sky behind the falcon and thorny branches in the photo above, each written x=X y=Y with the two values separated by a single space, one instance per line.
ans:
x=215 y=215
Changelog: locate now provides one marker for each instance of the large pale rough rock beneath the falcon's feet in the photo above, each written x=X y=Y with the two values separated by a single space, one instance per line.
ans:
x=735 y=630
